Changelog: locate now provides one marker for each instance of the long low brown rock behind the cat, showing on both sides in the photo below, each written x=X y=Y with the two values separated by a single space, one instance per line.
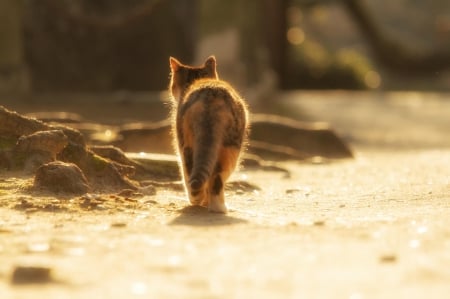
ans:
x=271 y=137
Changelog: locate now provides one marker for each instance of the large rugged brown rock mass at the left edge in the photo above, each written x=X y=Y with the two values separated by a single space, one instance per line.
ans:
x=27 y=143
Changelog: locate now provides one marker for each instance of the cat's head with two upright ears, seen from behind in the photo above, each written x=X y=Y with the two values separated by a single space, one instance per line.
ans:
x=182 y=76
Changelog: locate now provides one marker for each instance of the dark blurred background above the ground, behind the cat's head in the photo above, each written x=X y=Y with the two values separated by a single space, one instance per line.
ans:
x=116 y=45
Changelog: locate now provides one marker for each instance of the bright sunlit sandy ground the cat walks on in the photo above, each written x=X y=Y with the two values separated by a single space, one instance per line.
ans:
x=377 y=226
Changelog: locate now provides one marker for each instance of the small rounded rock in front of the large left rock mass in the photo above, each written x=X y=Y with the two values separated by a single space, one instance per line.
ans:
x=60 y=177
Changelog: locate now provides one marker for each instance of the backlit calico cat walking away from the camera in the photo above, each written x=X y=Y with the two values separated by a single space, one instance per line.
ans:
x=210 y=128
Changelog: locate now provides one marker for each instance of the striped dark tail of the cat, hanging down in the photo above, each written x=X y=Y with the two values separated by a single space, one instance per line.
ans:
x=207 y=143
